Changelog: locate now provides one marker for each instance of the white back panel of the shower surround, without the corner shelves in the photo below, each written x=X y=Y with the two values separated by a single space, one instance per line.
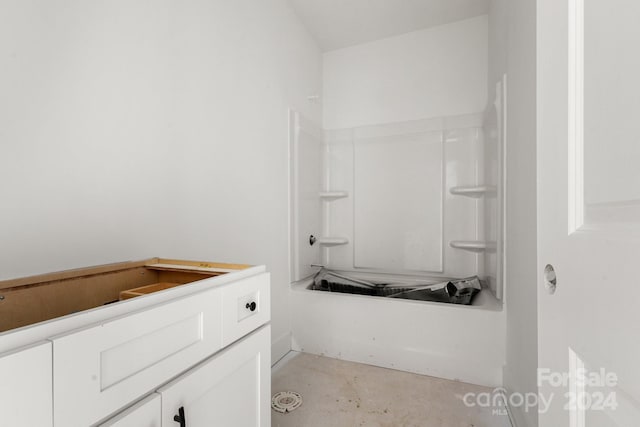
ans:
x=400 y=216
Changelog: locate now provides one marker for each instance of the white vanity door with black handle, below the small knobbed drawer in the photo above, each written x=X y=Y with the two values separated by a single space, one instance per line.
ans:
x=231 y=389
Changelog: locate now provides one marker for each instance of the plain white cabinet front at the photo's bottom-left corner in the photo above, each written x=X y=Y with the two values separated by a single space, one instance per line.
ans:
x=25 y=387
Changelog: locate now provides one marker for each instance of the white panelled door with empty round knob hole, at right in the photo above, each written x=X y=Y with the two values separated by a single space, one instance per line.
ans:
x=589 y=211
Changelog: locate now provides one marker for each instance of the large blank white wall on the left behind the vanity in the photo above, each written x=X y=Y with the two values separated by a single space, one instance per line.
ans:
x=150 y=128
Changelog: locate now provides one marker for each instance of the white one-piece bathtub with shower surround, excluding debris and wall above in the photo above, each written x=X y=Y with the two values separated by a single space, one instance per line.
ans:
x=411 y=202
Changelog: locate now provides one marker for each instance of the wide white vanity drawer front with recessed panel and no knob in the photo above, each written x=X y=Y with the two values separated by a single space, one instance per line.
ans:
x=103 y=368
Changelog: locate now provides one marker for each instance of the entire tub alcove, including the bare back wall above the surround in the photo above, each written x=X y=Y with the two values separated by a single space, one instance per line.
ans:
x=402 y=183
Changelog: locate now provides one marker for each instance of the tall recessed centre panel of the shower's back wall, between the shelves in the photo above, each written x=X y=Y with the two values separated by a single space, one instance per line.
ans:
x=398 y=202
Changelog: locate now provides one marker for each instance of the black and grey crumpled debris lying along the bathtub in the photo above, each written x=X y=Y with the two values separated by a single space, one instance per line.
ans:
x=457 y=291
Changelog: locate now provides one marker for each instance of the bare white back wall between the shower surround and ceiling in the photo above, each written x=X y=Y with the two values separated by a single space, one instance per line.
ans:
x=440 y=71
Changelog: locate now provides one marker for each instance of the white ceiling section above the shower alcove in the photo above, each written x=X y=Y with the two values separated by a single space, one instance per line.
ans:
x=340 y=23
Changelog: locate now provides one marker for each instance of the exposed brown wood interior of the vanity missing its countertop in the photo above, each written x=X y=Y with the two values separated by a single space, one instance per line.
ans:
x=30 y=300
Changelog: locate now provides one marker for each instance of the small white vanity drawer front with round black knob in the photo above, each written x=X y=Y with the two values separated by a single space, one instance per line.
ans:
x=246 y=306
